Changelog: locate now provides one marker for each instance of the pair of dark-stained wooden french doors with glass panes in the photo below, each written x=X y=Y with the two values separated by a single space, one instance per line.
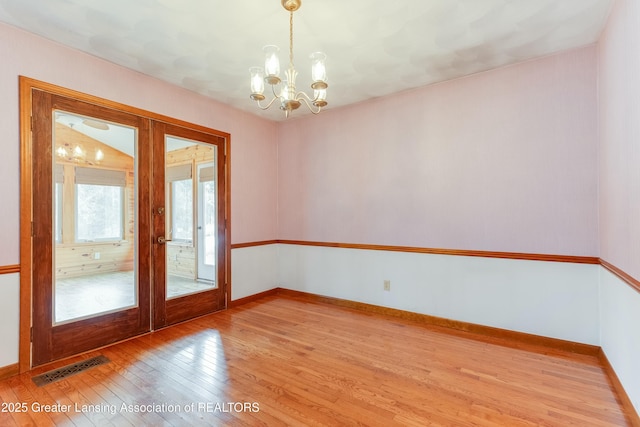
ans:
x=128 y=225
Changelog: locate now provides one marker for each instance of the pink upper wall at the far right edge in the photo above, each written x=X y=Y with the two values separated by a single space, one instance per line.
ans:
x=619 y=85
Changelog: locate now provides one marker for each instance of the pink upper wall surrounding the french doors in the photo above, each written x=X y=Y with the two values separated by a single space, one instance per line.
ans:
x=253 y=140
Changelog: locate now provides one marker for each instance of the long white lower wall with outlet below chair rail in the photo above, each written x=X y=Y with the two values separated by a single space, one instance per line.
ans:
x=552 y=299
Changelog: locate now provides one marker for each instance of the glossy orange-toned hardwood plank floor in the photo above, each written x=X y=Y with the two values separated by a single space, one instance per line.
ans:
x=286 y=361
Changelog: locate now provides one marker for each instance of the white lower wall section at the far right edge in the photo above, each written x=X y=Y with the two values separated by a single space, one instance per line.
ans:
x=620 y=331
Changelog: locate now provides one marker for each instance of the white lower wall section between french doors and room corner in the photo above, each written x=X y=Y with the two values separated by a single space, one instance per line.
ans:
x=253 y=270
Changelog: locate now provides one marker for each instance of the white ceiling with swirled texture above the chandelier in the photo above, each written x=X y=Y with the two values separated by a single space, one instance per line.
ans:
x=374 y=47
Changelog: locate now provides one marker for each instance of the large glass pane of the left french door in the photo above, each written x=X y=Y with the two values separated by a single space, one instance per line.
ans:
x=95 y=215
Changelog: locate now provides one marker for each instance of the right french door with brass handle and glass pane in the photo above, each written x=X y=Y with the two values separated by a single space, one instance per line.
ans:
x=188 y=223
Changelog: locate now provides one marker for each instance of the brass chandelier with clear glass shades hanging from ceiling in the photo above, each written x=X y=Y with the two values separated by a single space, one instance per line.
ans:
x=287 y=96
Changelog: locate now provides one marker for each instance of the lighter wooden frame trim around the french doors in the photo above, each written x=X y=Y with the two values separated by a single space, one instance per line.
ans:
x=26 y=86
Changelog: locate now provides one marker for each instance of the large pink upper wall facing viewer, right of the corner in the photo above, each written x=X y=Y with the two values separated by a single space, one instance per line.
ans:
x=502 y=161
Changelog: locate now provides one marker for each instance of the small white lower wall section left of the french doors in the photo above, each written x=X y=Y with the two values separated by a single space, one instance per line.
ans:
x=10 y=318
